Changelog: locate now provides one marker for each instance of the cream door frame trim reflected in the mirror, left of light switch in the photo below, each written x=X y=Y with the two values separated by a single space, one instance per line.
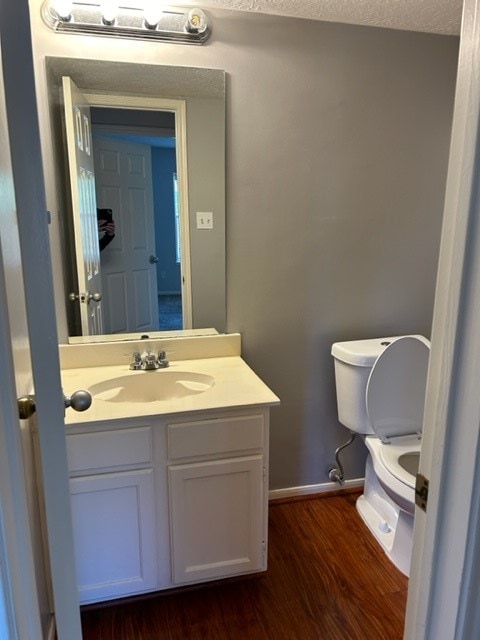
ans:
x=179 y=109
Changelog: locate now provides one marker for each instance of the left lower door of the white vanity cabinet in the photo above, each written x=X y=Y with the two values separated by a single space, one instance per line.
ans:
x=114 y=533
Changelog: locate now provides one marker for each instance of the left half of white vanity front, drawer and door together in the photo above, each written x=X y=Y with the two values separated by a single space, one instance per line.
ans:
x=113 y=510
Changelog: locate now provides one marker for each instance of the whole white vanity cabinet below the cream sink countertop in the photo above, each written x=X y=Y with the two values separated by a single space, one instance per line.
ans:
x=165 y=501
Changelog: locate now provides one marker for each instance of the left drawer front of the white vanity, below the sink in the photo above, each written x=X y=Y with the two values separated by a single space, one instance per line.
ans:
x=107 y=449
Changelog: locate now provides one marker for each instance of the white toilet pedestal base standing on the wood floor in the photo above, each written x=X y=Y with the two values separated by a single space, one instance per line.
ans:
x=391 y=526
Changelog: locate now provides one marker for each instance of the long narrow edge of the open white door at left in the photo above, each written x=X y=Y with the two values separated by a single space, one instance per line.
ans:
x=24 y=139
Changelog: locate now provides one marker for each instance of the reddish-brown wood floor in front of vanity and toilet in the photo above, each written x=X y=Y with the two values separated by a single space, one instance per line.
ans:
x=327 y=580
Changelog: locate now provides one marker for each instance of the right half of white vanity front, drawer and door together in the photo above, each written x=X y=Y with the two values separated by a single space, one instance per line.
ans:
x=218 y=493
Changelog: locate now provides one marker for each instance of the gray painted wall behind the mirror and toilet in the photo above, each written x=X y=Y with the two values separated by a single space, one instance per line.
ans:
x=337 y=142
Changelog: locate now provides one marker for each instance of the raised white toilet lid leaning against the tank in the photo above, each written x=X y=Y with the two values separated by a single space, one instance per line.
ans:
x=395 y=393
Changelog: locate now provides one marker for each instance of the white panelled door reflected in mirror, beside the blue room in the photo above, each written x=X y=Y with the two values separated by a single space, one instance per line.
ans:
x=123 y=175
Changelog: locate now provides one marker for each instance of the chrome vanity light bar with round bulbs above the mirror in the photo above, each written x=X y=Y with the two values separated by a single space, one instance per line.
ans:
x=153 y=21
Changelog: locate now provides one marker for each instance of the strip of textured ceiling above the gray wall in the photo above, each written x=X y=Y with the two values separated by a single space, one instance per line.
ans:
x=434 y=16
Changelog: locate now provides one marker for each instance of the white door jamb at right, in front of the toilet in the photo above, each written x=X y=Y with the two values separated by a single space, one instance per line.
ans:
x=443 y=584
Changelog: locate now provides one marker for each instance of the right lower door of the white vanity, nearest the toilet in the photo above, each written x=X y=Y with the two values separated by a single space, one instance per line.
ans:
x=216 y=511
